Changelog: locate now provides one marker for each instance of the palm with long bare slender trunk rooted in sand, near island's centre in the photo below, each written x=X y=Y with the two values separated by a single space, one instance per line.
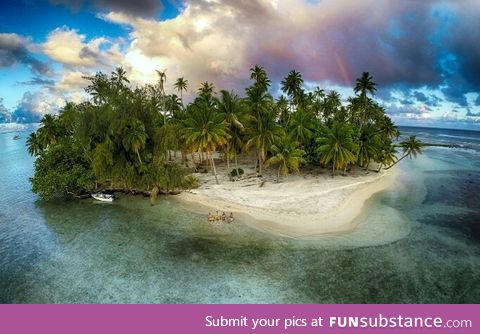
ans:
x=205 y=130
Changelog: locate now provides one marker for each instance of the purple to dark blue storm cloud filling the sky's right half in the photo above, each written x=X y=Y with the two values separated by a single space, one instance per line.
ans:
x=414 y=44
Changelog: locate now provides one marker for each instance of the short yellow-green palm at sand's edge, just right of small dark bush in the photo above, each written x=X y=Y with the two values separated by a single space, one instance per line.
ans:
x=287 y=155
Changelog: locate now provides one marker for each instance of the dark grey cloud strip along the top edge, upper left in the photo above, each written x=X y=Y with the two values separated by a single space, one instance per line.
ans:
x=145 y=8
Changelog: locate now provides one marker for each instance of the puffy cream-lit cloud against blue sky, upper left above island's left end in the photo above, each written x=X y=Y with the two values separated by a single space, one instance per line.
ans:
x=70 y=48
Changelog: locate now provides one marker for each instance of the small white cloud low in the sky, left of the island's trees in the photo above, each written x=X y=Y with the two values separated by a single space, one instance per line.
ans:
x=33 y=106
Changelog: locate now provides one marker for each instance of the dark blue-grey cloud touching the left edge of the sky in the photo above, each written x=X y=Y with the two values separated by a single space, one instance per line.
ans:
x=16 y=49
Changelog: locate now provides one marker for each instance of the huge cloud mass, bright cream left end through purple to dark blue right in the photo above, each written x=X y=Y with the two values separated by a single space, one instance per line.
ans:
x=327 y=41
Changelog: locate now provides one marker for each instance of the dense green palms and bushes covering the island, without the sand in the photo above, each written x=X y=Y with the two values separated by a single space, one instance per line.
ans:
x=123 y=138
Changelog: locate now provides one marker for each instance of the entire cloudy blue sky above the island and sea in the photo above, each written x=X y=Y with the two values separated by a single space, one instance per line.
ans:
x=424 y=55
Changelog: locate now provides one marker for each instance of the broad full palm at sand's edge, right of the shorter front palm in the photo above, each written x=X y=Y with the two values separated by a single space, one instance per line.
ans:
x=337 y=147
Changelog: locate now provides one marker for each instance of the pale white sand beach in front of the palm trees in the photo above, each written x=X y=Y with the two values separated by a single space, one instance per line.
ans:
x=302 y=207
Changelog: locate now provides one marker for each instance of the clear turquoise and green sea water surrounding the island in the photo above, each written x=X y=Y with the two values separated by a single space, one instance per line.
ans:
x=419 y=243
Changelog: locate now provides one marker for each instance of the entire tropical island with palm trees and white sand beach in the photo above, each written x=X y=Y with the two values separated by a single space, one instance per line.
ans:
x=301 y=165
